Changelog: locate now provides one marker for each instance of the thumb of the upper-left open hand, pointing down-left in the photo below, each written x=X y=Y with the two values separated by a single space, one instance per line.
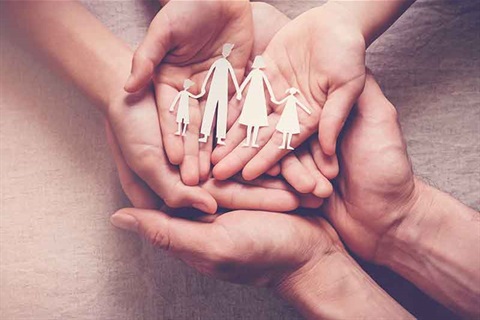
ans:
x=151 y=51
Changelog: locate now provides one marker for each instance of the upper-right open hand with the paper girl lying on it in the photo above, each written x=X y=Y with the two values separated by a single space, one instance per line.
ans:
x=322 y=53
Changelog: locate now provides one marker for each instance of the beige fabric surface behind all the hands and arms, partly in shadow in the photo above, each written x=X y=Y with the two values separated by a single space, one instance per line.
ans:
x=61 y=259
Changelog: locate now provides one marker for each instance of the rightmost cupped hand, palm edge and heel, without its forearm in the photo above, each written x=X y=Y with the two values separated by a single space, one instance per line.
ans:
x=375 y=187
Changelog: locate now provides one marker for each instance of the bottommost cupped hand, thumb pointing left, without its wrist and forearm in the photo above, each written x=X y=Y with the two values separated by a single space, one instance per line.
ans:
x=249 y=247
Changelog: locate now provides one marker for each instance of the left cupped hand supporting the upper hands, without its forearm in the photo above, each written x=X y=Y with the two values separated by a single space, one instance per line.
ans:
x=147 y=176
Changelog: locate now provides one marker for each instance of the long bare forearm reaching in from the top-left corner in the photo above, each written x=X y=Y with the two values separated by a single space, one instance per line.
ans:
x=76 y=43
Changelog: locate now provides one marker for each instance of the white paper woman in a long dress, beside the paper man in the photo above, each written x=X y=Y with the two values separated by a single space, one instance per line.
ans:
x=254 y=112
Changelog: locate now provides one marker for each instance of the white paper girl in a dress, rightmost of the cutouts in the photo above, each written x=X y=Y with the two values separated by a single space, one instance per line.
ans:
x=288 y=123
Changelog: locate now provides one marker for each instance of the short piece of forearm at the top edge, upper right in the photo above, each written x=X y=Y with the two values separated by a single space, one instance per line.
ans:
x=372 y=17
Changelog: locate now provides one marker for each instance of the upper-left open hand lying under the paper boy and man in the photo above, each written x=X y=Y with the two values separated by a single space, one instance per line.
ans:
x=182 y=42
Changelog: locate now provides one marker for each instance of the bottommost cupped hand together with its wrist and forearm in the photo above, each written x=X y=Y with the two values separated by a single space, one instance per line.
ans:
x=300 y=257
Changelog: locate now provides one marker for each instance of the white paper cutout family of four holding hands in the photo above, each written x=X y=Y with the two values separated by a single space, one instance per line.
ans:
x=254 y=111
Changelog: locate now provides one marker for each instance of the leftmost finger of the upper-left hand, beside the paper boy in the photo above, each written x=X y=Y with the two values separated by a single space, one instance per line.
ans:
x=174 y=145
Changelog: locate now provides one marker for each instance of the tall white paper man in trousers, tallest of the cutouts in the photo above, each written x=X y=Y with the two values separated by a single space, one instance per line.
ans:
x=218 y=96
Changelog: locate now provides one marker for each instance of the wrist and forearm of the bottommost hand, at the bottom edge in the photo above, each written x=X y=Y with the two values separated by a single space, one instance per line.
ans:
x=337 y=288
